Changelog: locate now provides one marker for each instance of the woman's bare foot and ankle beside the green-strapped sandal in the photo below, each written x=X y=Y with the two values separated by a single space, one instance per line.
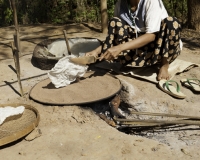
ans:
x=163 y=72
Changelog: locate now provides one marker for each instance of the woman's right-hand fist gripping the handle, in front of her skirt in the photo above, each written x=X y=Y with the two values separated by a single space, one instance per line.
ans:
x=111 y=53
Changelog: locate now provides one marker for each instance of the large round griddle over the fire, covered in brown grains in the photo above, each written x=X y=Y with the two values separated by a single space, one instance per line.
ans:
x=91 y=88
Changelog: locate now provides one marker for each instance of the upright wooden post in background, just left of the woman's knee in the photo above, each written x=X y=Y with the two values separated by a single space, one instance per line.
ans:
x=104 y=16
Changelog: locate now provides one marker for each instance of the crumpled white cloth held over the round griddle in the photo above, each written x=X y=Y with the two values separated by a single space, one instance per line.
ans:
x=66 y=72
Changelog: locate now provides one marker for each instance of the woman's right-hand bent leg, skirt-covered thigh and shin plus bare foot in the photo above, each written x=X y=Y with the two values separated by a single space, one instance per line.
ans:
x=164 y=50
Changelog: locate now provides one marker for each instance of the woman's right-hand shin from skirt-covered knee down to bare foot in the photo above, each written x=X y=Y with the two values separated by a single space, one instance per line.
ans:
x=169 y=45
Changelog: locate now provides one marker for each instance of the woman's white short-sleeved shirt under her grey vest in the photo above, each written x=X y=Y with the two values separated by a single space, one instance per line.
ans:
x=149 y=15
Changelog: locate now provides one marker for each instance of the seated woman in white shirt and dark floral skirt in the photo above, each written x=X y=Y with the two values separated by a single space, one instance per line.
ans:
x=141 y=34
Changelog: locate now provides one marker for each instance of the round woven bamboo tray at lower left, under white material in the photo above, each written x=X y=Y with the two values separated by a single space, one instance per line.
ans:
x=13 y=130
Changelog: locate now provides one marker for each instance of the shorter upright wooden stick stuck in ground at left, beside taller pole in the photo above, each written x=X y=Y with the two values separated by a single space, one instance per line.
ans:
x=17 y=66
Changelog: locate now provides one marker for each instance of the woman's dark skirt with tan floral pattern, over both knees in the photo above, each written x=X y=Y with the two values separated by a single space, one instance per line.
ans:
x=166 y=43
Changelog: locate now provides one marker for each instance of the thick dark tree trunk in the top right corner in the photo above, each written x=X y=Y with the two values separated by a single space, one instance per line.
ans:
x=194 y=14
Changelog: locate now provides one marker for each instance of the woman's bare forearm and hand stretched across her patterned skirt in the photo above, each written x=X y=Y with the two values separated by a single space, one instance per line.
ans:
x=141 y=41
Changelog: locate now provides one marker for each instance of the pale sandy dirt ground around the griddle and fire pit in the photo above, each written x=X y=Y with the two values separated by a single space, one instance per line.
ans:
x=77 y=132
